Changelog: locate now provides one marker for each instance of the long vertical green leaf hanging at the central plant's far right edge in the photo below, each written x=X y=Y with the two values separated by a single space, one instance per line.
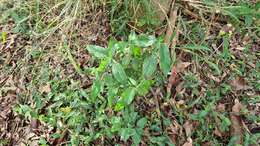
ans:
x=165 y=60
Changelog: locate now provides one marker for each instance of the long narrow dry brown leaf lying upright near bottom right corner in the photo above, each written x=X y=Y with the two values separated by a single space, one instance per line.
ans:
x=236 y=126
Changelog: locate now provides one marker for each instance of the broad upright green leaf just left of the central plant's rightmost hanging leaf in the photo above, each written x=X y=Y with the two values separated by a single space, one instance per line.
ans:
x=149 y=66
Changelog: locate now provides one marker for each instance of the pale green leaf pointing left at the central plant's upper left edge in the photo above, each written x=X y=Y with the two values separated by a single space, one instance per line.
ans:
x=97 y=51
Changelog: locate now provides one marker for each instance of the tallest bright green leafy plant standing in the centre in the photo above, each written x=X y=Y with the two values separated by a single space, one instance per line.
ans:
x=132 y=64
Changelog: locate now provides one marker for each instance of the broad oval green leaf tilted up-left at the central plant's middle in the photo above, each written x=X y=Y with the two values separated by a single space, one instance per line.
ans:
x=119 y=73
